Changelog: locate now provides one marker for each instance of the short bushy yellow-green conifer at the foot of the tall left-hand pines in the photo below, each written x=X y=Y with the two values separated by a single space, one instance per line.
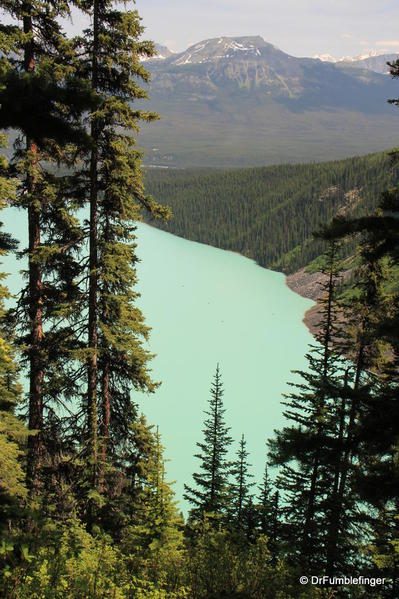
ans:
x=144 y=518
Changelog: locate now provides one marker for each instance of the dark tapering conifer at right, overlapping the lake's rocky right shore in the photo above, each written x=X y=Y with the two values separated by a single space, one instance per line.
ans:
x=306 y=450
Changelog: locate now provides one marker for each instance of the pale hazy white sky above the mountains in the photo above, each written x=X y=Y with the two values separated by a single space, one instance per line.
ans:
x=299 y=27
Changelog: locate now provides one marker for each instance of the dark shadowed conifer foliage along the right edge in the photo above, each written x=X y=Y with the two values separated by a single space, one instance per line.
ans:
x=370 y=453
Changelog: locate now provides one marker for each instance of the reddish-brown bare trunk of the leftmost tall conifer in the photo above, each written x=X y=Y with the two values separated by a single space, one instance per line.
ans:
x=35 y=442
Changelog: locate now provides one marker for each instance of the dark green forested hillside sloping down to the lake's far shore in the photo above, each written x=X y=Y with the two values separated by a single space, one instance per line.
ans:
x=269 y=214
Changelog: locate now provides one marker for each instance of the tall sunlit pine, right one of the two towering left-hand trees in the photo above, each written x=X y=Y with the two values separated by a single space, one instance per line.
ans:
x=115 y=357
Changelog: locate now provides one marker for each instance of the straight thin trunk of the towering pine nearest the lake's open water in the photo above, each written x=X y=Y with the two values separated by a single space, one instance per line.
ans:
x=92 y=365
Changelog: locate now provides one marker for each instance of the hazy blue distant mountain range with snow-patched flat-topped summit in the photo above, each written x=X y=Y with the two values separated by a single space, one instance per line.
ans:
x=242 y=101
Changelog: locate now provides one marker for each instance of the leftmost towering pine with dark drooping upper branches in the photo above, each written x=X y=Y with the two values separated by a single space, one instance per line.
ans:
x=42 y=100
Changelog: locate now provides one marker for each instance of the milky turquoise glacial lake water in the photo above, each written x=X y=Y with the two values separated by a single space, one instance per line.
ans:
x=207 y=306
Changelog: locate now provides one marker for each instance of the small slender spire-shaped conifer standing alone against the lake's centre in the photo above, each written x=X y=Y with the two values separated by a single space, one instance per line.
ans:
x=211 y=492
